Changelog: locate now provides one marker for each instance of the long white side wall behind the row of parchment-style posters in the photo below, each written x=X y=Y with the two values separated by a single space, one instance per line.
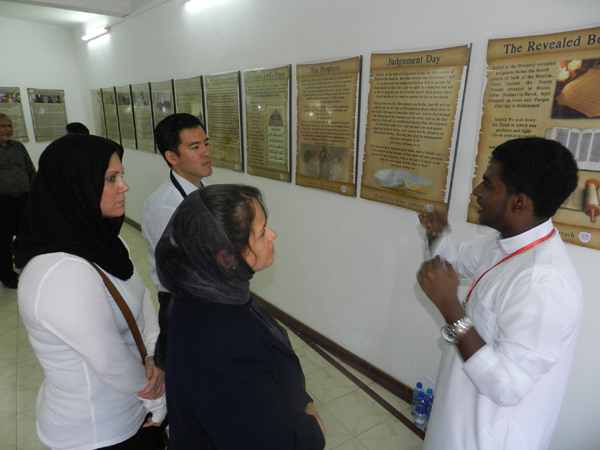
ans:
x=344 y=266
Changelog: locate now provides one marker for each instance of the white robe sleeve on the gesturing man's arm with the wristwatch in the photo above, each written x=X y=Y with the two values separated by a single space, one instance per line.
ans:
x=532 y=332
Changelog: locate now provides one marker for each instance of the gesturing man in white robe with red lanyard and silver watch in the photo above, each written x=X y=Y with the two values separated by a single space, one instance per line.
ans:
x=505 y=368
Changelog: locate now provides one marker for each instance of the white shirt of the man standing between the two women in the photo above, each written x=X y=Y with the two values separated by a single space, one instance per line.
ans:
x=158 y=210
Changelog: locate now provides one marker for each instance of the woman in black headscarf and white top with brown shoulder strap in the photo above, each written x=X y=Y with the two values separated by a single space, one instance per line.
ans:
x=96 y=392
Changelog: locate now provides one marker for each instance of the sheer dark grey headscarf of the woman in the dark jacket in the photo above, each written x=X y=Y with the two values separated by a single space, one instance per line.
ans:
x=187 y=264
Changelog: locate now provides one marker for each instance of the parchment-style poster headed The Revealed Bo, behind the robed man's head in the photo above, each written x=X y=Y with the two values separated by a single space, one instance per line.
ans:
x=548 y=86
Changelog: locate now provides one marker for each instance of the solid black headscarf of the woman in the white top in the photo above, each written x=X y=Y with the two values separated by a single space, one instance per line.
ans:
x=63 y=211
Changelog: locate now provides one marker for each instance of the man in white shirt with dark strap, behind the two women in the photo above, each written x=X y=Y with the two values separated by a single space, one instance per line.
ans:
x=181 y=139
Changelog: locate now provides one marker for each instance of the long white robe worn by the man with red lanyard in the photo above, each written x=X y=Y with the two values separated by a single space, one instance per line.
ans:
x=528 y=310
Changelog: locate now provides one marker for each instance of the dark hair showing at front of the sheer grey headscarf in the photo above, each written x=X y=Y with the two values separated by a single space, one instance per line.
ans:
x=232 y=207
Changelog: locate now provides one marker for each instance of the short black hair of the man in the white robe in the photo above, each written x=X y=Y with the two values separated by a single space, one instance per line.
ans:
x=542 y=169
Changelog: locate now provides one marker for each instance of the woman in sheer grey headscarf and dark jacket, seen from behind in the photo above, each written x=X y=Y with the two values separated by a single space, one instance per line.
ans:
x=233 y=380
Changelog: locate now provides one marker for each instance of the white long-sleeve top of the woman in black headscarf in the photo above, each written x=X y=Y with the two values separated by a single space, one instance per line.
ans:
x=92 y=366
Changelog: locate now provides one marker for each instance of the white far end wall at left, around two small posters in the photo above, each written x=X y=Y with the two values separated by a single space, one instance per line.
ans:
x=42 y=57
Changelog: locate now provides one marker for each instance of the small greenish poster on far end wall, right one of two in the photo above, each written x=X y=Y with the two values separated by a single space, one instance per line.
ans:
x=48 y=112
